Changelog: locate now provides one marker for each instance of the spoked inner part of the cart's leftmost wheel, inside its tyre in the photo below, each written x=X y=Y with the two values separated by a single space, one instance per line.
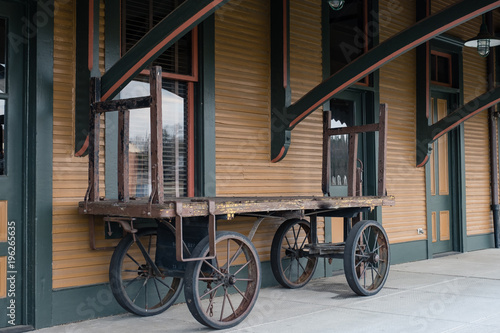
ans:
x=145 y=288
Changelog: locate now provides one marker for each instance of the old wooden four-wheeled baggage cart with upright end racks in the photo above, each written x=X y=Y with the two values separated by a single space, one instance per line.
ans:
x=221 y=271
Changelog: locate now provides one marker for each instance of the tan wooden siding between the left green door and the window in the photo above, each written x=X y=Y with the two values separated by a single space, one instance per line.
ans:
x=74 y=264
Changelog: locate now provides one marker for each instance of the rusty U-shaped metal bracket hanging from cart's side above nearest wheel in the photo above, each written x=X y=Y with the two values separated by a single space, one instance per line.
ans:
x=179 y=241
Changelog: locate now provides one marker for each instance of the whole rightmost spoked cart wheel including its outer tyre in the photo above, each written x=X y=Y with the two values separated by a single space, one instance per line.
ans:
x=366 y=258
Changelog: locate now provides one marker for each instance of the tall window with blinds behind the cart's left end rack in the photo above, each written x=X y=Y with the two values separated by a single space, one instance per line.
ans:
x=179 y=65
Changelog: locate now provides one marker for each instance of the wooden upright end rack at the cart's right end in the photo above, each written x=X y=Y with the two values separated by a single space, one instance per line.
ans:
x=353 y=132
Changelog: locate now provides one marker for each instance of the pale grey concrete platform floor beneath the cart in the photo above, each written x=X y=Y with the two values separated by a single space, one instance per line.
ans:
x=458 y=293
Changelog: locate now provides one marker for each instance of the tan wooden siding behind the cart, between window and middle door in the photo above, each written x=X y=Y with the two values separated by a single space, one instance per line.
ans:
x=242 y=80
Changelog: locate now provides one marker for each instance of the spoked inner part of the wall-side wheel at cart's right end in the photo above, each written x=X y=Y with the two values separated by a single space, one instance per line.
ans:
x=296 y=267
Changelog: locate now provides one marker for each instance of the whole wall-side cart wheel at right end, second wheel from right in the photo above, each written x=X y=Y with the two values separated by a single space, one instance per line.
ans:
x=291 y=265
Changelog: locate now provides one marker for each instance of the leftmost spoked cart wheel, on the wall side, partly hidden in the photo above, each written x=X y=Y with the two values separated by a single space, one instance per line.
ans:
x=136 y=282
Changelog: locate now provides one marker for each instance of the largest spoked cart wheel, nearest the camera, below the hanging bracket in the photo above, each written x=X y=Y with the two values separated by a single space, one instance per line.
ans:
x=221 y=292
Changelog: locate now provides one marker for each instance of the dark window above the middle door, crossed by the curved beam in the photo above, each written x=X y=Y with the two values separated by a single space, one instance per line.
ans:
x=349 y=36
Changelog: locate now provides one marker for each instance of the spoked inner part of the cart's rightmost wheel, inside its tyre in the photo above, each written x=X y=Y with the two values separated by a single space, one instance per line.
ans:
x=371 y=258
